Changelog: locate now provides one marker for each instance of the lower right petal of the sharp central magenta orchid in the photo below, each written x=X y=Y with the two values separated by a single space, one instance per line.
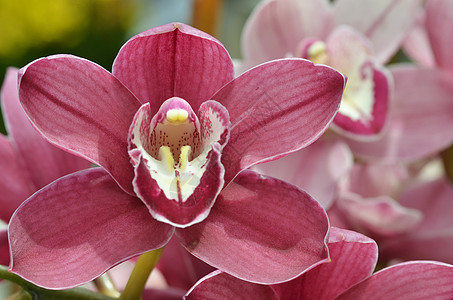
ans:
x=261 y=230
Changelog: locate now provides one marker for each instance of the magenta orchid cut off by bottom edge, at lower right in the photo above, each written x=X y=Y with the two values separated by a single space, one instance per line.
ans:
x=347 y=276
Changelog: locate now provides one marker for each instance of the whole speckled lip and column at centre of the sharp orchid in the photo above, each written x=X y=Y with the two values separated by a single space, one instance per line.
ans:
x=175 y=155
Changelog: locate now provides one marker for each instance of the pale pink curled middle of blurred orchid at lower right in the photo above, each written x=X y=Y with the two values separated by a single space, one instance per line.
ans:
x=368 y=200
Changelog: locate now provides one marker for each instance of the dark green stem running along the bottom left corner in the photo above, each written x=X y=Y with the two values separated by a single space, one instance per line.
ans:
x=39 y=293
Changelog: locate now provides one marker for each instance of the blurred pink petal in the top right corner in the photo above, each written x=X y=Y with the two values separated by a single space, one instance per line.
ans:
x=439 y=21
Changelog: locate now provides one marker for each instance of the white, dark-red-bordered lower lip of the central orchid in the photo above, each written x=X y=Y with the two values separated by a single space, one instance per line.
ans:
x=171 y=208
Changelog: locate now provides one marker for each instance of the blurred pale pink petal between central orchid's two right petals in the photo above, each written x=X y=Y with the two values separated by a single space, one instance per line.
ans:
x=315 y=169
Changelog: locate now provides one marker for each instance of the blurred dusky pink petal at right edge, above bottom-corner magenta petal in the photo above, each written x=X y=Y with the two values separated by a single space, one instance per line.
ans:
x=433 y=237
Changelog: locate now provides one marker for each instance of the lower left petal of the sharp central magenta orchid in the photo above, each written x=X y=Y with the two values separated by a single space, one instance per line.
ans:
x=78 y=227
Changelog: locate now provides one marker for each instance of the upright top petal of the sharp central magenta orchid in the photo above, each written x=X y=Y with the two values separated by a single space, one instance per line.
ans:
x=173 y=60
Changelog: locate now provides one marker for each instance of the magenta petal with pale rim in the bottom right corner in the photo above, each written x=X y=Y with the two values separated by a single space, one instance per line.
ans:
x=411 y=281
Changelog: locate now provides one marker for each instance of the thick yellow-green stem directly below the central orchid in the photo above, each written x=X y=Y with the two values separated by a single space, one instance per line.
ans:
x=136 y=283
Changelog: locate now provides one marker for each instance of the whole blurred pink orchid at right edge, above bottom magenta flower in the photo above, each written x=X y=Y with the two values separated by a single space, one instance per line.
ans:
x=405 y=209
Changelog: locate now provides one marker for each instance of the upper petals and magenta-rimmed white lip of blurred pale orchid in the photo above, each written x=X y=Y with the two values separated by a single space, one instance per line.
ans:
x=343 y=35
